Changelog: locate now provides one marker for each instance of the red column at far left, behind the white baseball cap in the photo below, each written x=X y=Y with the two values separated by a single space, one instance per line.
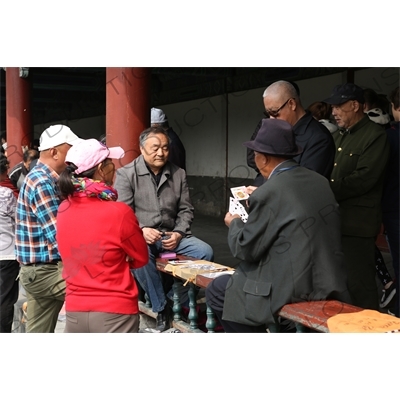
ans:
x=18 y=114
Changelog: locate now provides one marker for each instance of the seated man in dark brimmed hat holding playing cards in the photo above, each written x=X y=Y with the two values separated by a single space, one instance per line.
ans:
x=290 y=245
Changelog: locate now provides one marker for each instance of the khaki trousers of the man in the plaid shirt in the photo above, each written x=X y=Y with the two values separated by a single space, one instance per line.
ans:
x=45 y=293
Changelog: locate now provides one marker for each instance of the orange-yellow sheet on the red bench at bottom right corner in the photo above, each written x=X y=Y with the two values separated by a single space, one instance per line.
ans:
x=366 y=321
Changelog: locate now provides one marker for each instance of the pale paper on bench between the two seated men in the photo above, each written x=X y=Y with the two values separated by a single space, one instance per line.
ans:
x=191 y=269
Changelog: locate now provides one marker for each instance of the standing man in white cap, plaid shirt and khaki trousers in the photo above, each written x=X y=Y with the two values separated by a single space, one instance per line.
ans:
x=36 y=245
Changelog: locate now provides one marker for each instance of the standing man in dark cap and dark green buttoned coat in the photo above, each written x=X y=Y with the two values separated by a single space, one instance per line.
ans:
x=362 y=152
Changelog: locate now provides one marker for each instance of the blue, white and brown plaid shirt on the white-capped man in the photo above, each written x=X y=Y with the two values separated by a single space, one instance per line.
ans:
x=38 y=201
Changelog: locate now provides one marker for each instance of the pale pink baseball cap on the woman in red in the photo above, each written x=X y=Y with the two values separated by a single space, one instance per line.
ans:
x=89 y=153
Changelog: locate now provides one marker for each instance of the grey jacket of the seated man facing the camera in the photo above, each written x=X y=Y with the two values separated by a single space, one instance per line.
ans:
x=166 y=207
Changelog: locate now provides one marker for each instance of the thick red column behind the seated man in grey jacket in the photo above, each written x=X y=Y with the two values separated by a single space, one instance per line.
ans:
x=127 y=109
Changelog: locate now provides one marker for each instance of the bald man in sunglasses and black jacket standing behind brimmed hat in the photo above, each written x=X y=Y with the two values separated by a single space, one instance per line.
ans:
x=282 y=101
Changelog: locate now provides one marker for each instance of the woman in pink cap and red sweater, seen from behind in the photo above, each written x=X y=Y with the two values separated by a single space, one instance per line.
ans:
x=100 y=241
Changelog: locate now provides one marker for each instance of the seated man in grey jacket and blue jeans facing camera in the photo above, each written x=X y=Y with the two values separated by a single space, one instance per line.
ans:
x=158 y=193
